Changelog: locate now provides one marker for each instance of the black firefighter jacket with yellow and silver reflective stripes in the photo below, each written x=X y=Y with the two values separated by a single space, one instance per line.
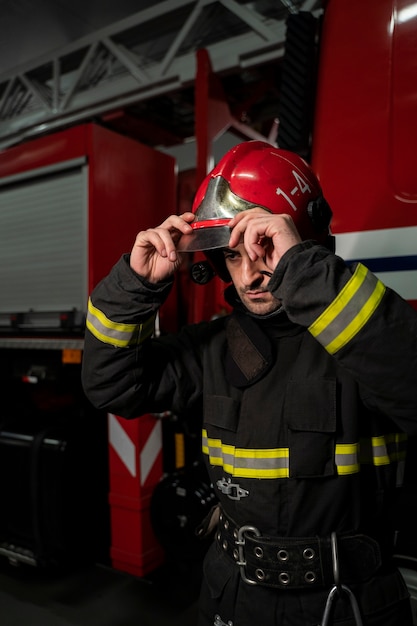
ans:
x=304 y=412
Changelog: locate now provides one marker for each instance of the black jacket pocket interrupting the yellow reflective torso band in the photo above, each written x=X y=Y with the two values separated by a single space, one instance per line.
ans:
x=310 y=409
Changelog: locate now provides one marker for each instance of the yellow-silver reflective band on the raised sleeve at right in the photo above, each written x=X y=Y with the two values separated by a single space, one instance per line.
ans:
x=350 y=311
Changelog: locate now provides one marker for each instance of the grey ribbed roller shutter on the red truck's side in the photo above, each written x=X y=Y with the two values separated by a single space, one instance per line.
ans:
x=43 y=240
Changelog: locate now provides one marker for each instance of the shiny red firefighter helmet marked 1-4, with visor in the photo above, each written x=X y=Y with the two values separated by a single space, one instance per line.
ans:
x=256 y=174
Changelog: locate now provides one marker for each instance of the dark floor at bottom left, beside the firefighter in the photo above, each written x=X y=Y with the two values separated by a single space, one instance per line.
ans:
x=97 y=595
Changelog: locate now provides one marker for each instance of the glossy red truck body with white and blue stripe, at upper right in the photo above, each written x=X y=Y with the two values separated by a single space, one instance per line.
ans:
x=365 y=133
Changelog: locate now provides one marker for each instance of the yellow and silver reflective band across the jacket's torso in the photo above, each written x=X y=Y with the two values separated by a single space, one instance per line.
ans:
x=275 y=462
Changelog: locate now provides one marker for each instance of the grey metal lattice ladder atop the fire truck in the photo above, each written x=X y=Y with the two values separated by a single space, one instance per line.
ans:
x=152 y=52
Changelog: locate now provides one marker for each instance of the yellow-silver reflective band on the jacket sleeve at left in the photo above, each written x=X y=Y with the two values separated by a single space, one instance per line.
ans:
x=116 y=333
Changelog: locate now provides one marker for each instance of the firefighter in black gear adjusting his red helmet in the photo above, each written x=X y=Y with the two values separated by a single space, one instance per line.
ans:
x=307 y=387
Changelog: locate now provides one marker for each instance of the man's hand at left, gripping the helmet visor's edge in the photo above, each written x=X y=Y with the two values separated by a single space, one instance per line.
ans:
x=154 y=254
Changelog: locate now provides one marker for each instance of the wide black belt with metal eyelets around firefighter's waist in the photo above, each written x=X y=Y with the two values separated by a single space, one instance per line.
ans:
x=298 y=562
